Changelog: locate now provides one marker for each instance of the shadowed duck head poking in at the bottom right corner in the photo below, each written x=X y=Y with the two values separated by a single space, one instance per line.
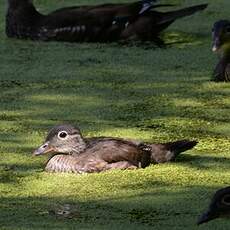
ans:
x=219 y=206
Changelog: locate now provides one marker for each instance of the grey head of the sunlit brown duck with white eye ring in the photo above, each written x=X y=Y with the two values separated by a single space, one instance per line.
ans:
x=62 y=139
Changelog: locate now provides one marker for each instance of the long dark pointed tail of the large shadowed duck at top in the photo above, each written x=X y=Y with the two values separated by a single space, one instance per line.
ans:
x=173 y=15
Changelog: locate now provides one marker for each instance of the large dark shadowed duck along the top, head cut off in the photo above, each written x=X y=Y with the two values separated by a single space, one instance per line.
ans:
x=96 y=23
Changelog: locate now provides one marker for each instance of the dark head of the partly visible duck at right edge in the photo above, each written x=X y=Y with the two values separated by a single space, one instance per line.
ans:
x=221 y=36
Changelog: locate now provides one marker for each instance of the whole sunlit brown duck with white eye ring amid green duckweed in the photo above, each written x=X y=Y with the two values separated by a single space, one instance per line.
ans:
x=73 y=153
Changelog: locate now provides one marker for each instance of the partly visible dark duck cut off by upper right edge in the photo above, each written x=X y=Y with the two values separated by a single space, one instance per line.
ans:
x=221 y=45
